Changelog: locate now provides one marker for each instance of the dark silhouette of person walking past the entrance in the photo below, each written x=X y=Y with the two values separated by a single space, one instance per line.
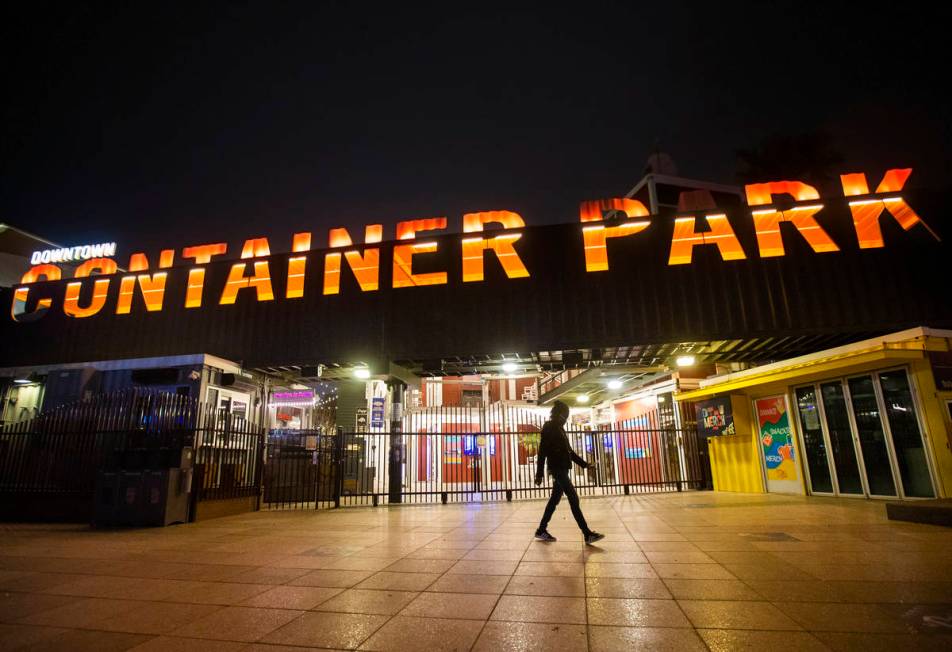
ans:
x=555 y=447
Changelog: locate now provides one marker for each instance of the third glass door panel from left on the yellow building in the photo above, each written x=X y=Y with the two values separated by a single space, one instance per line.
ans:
x=872 y=436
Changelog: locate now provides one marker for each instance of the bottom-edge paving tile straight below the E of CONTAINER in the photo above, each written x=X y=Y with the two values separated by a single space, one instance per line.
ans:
x=413 y=634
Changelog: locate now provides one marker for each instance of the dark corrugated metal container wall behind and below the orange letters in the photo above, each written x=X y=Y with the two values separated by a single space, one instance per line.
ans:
x=640 y=300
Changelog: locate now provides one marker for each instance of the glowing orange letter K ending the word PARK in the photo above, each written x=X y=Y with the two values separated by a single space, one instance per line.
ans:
x=866 y=212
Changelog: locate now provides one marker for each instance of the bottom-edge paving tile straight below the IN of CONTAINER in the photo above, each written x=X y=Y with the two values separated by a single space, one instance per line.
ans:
x=328 y=630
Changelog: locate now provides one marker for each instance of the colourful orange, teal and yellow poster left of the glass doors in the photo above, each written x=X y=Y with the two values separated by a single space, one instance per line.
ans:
x=777 y=445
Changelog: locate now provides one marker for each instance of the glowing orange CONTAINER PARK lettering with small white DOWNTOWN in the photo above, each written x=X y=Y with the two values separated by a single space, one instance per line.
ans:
x=414 y=250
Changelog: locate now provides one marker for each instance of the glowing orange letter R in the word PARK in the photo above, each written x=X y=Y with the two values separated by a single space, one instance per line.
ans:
x=767 y=222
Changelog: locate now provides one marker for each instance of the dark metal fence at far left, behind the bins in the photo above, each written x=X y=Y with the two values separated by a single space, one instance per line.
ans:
x=49 y=465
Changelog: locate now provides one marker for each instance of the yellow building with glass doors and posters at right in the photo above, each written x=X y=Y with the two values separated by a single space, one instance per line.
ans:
x=869 y=419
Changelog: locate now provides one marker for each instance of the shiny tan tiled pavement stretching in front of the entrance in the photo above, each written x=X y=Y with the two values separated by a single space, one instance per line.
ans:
x=687 y=571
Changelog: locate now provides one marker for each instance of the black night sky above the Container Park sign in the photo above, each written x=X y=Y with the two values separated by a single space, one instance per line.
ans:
x=164 y=124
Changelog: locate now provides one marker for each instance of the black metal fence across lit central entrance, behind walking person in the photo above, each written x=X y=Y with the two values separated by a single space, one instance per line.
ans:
x=479 y=466
